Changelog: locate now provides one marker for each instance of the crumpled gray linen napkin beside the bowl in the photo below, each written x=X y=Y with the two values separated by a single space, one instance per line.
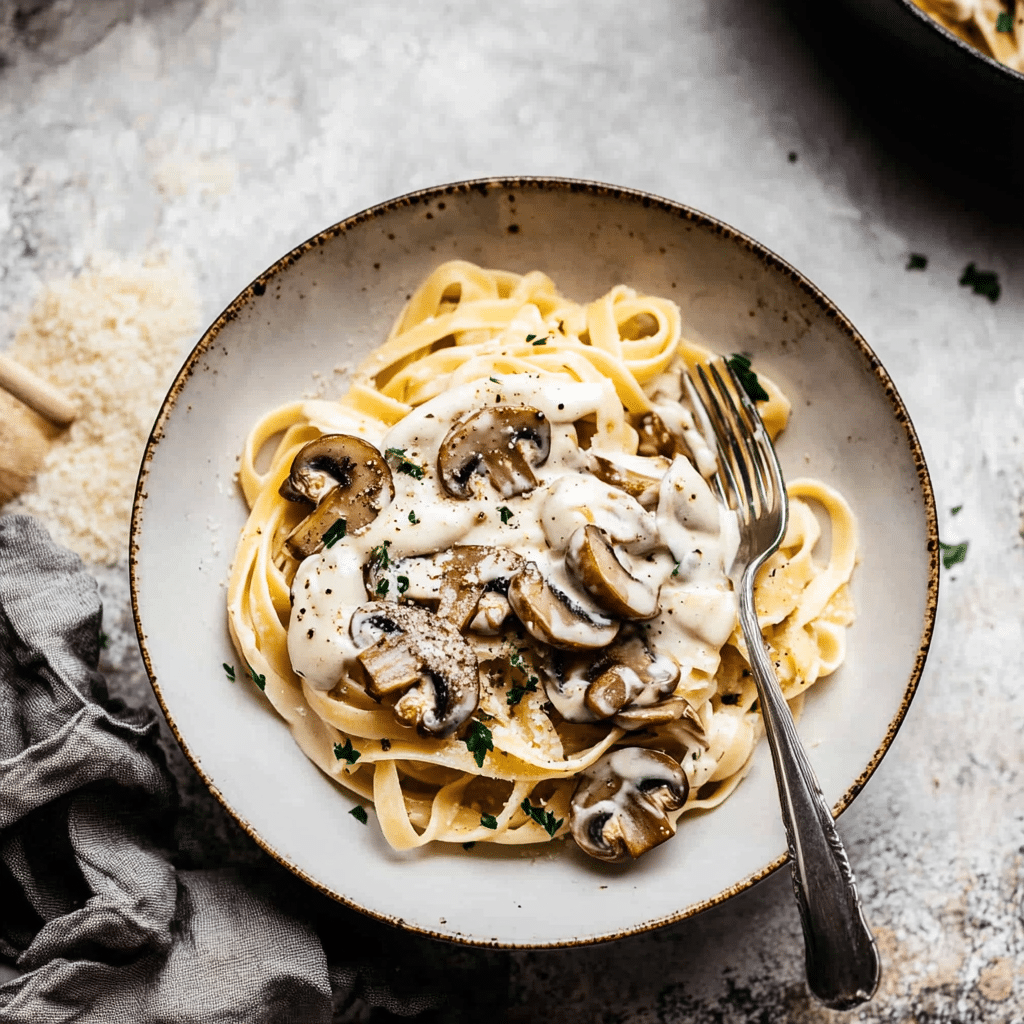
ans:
x=93 y=911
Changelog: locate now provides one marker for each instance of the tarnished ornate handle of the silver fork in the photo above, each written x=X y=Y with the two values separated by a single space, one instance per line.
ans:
x=843 y=967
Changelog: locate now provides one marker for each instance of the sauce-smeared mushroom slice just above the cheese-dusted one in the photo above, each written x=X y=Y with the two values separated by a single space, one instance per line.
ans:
x=453 y=582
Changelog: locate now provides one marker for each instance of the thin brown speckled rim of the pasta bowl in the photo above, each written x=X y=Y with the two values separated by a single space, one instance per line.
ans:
x=599 y=190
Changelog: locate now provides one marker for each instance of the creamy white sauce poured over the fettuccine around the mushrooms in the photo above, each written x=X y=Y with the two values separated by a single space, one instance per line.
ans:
x=682 y=549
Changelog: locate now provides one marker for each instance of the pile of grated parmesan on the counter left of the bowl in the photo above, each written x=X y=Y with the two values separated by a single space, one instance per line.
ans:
x=112 y=339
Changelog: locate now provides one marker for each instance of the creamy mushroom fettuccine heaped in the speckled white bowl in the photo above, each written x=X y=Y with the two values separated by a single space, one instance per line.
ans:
x=489 y=588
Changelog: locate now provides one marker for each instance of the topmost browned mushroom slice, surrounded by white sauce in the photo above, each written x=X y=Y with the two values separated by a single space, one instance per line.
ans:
x=502 y=443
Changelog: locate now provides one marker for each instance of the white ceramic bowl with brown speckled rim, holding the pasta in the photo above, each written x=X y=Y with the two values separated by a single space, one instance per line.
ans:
x=332 y=301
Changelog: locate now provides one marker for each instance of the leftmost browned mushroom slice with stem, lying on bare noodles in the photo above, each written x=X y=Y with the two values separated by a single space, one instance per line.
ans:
x=346 y=479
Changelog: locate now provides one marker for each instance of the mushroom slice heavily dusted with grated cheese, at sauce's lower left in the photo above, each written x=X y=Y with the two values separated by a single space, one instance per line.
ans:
x=411 y=650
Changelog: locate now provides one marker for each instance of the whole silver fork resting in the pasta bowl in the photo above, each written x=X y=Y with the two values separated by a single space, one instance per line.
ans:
x=842 y=959
